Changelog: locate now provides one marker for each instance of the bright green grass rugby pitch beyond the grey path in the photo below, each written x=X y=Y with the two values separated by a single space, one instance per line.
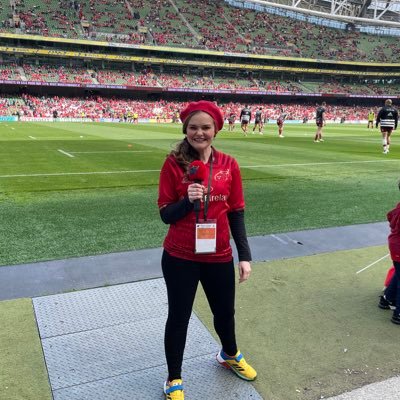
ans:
x=72 y=189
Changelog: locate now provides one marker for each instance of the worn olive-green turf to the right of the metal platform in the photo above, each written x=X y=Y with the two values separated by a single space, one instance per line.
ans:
x=311 y=326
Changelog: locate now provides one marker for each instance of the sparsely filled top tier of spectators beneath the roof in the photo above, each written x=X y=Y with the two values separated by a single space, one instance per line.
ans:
x=228 y=29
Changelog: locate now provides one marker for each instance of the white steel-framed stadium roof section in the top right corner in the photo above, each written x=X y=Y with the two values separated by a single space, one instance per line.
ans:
x=375 y=12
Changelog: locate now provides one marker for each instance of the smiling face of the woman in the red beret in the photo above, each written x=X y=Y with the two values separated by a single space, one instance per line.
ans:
x=200 y=131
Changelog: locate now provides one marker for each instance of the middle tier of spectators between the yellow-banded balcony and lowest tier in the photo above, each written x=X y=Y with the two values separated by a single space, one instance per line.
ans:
x=148 y=77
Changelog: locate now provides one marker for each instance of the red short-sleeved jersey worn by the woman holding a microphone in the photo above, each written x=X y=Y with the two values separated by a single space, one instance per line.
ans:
x=226 y=195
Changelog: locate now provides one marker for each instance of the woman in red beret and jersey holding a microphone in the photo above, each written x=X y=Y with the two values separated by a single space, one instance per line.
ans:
x=222 y=201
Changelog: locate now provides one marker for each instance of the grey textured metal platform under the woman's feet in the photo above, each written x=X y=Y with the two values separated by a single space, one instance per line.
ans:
x=107 y=344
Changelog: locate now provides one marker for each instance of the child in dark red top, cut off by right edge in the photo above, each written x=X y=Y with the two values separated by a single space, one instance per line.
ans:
x=390 y=299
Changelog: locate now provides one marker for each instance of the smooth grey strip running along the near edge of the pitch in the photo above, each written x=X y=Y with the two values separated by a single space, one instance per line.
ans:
x=58 y=276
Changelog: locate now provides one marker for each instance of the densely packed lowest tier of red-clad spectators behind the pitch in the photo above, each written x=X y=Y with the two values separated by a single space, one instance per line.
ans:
x=97 y=107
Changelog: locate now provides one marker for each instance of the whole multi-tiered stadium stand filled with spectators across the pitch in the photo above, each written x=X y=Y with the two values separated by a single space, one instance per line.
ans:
x=127 y=51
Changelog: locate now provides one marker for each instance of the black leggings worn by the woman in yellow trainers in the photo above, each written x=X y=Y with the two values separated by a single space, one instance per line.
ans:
x=182 y=277
